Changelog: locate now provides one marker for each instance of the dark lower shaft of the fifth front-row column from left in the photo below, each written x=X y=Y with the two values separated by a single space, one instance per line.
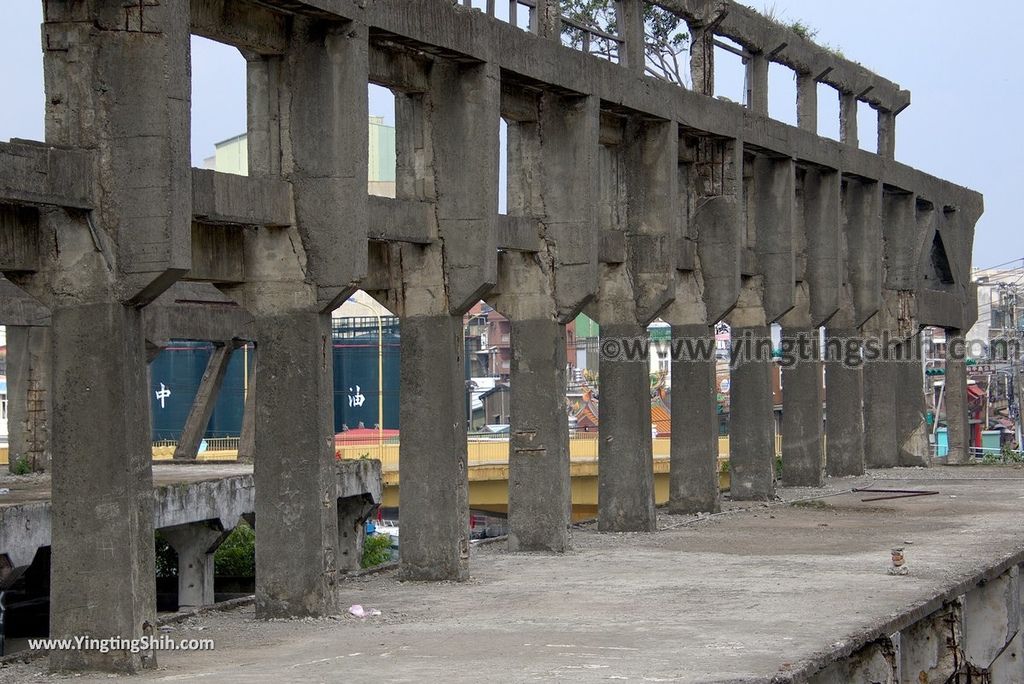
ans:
x=626 y=466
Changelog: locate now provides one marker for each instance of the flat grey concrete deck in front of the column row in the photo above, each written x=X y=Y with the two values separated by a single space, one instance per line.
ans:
x=762 y=593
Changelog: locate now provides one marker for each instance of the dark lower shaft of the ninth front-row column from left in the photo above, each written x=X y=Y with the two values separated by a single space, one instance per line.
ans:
x=844 y=409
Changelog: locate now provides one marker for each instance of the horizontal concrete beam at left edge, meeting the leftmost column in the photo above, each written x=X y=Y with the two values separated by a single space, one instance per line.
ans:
x=33 y=174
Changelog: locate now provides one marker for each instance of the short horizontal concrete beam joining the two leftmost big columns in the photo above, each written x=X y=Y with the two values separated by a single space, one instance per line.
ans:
x=230 y=199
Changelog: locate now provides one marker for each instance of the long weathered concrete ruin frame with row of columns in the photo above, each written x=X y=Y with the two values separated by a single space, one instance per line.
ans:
x=630 y=198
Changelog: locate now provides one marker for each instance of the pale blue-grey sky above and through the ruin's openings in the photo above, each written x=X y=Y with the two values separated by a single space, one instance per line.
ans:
x=962 y=68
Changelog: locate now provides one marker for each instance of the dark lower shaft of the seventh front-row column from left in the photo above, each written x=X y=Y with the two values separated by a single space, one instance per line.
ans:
x=752 y=421
